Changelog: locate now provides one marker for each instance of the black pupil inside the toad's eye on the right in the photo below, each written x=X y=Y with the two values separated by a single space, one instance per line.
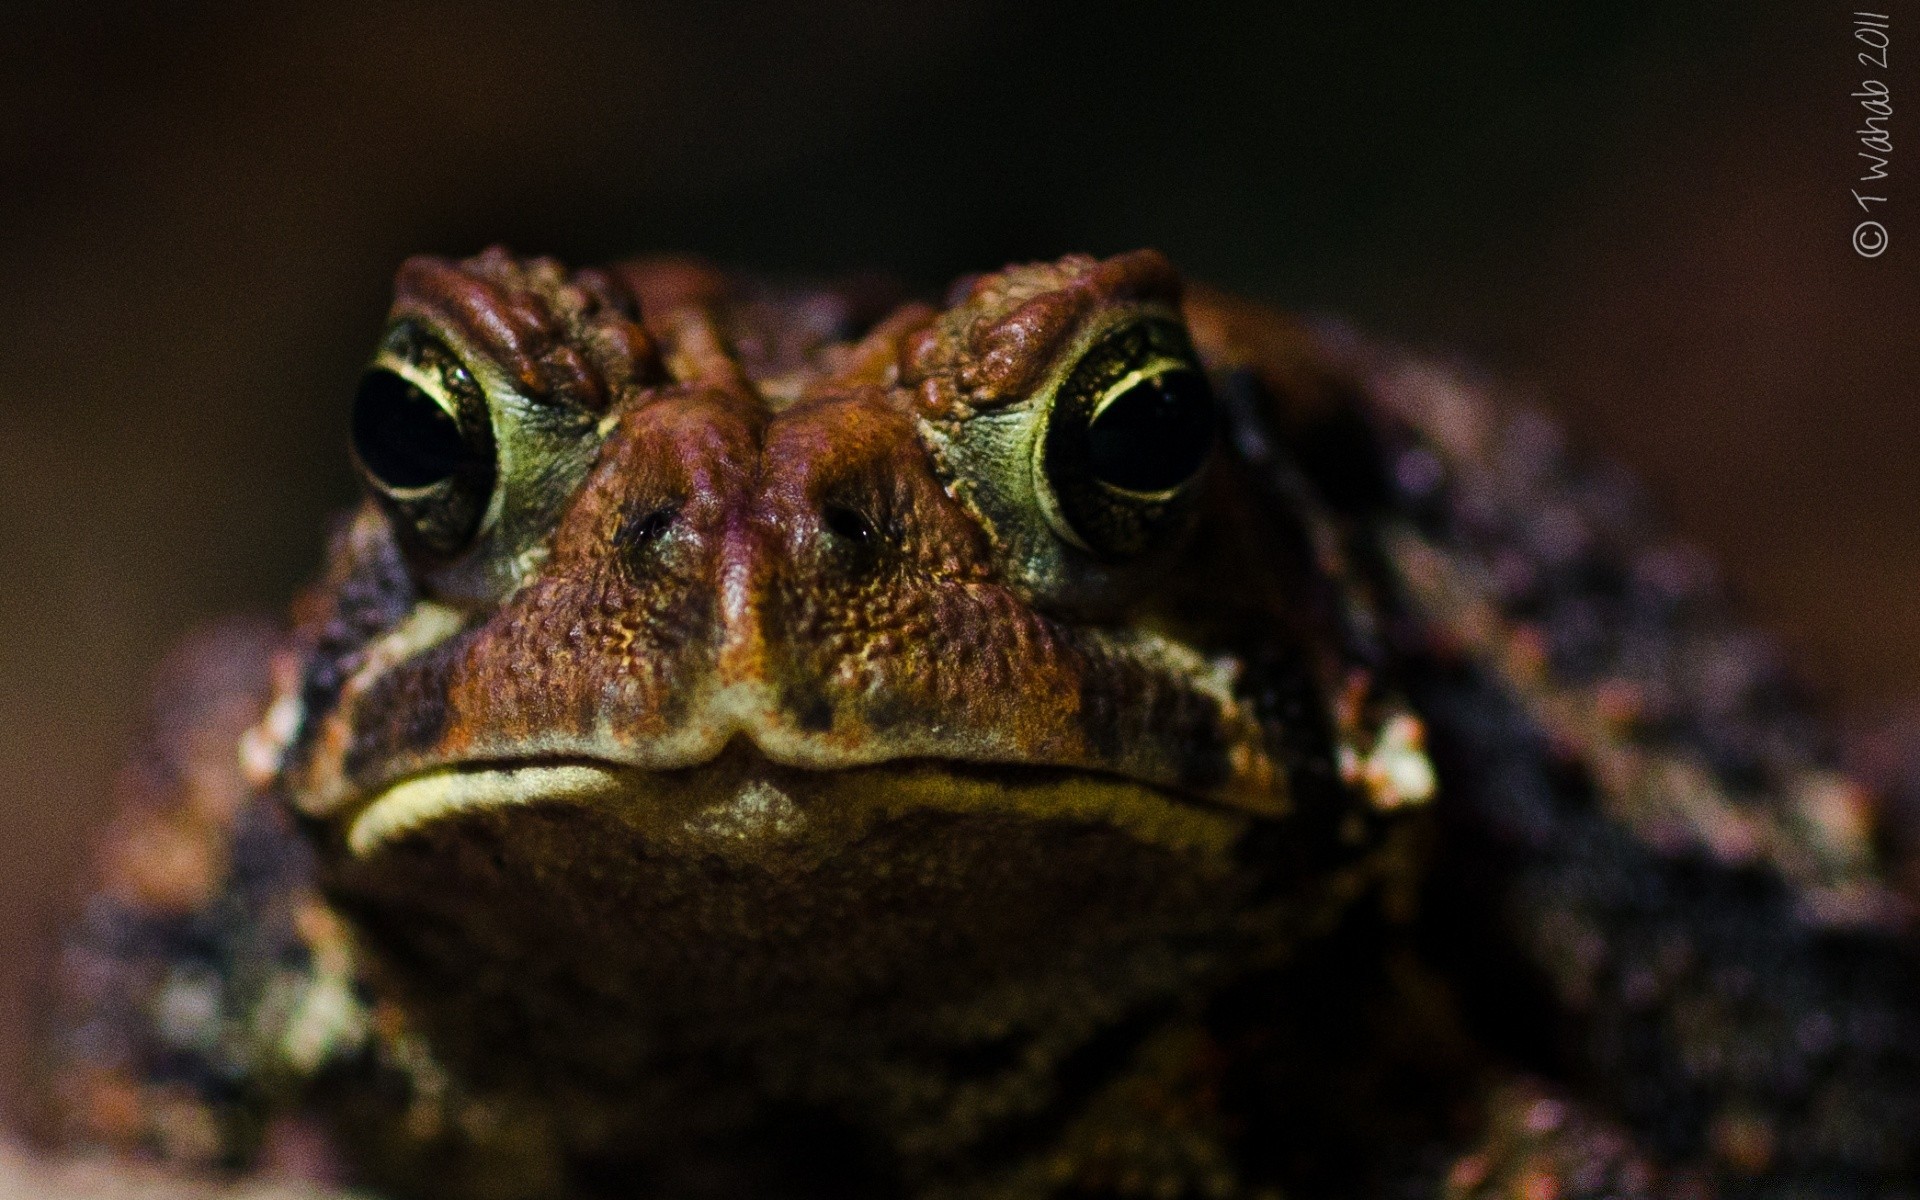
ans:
x=1155 y=435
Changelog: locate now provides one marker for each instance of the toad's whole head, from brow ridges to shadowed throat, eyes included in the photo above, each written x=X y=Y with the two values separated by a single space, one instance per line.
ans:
x=740 y=667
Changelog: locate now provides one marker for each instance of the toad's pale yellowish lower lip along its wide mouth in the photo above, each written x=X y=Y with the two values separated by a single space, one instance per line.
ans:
x=750 y=800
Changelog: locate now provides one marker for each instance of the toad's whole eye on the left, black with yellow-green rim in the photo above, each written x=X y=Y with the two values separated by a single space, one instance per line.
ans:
x=425 y=444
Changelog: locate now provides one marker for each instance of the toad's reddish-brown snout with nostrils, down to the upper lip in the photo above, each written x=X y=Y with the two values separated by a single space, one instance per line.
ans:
x=802 y=583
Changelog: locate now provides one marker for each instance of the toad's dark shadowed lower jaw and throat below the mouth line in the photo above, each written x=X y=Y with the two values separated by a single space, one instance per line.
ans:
x=581 y=921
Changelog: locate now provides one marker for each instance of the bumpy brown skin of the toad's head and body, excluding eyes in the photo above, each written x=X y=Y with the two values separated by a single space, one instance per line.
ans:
x=775 y=798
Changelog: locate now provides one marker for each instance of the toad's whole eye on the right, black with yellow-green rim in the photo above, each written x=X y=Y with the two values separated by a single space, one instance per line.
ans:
x=1128 y=435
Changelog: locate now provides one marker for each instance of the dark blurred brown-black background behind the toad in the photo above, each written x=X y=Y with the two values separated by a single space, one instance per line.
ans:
x=1635 y=210
